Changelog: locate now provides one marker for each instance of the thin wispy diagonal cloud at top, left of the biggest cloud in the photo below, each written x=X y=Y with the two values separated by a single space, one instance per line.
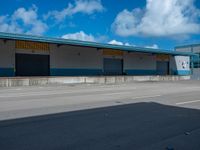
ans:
x=80 y=6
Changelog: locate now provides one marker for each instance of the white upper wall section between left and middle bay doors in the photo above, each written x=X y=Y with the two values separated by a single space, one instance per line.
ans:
x=75 y=57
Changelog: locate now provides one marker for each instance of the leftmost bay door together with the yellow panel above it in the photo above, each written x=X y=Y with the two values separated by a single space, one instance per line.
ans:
x=32 y=58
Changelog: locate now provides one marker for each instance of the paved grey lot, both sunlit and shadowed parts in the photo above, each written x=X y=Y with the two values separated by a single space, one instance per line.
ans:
x=141 y=116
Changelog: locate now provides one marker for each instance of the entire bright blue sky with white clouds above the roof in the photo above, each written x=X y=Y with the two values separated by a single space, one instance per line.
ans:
x=149 y=23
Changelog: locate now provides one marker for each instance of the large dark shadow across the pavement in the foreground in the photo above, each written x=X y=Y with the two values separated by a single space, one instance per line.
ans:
x=139 y=126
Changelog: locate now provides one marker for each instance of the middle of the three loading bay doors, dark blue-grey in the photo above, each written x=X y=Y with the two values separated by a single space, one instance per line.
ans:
x=113 y=66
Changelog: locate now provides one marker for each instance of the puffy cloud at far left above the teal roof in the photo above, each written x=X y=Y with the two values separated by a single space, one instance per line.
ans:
x=23 y=21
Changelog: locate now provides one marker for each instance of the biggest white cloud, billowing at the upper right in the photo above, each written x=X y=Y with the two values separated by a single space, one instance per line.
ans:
x=159 y=18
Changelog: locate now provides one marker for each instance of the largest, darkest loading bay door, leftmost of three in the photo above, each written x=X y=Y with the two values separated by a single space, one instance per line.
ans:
x=32 y=65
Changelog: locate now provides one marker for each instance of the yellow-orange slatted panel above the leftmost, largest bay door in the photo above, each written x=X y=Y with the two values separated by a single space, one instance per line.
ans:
x=29 y=45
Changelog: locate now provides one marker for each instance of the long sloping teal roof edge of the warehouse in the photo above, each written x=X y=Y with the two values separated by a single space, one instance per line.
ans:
x=89 y=44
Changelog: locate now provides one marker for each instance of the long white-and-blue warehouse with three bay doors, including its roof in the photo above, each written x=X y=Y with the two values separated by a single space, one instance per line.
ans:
x=25 y=55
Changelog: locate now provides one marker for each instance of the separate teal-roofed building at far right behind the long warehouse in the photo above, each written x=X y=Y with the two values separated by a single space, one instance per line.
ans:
x=195 y=61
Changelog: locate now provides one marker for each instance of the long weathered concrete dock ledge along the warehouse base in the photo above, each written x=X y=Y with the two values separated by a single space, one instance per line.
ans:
x=37 y=81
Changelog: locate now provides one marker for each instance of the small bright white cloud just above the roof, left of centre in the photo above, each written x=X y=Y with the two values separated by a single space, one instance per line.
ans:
x=79 y=36
